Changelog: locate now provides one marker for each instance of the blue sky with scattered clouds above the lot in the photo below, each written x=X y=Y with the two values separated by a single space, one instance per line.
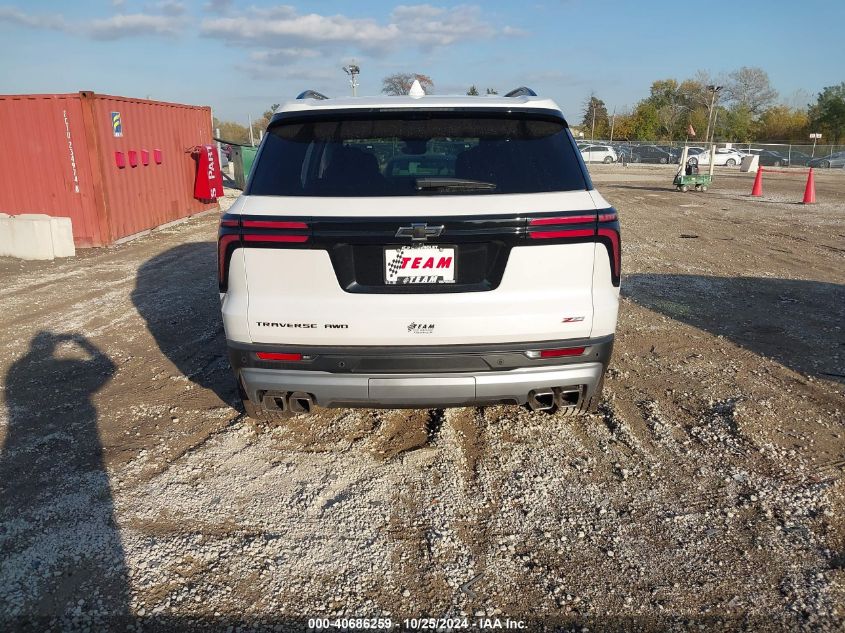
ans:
x=241 y=57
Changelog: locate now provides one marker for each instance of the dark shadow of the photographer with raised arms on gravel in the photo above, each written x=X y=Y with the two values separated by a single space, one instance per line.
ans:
x=60 y=548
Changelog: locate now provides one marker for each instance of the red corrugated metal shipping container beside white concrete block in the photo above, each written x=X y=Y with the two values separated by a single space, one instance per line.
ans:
x=63 y=156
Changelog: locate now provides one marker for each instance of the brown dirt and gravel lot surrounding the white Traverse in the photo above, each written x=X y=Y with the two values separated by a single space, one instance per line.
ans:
x=708 y=493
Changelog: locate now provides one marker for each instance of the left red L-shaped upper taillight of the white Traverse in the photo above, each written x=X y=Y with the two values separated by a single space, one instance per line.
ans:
x=237 y=231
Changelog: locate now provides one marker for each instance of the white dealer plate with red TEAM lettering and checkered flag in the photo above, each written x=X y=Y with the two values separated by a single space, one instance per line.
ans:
x=424 y=264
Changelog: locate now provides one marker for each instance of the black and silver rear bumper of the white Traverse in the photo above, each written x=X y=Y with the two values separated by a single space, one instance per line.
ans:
x=406 y=379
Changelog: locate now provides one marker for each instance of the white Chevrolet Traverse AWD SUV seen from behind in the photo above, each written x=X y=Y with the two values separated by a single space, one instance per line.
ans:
x=419 y=252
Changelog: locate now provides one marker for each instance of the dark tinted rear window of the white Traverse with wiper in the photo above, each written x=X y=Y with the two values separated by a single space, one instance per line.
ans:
x=434 y=155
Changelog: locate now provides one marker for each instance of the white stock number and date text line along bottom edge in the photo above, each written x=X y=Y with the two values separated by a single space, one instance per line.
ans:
x=416 y=624
